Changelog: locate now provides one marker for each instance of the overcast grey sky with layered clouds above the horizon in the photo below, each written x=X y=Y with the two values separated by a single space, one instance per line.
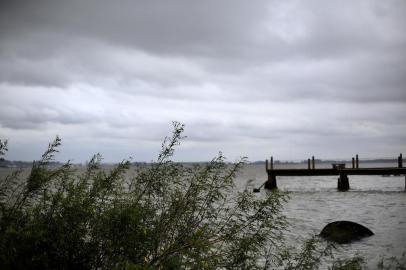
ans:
x=250 y=78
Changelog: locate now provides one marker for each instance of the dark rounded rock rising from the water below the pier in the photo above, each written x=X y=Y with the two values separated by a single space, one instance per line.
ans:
x=344 y=231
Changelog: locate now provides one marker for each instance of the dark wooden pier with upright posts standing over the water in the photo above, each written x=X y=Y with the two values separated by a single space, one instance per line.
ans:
x=336 y=169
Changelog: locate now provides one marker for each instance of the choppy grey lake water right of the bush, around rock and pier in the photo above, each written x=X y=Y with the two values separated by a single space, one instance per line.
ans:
x=377 y=202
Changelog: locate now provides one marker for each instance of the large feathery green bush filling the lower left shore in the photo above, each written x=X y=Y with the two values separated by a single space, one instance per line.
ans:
x=168 y=216
